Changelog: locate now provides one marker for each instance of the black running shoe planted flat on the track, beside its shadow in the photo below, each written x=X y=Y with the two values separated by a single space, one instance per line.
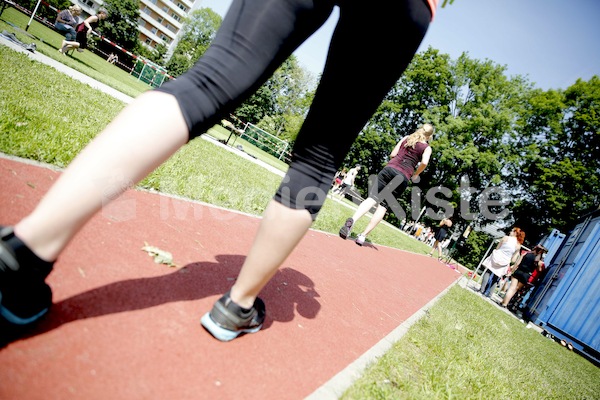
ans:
x=227 y=320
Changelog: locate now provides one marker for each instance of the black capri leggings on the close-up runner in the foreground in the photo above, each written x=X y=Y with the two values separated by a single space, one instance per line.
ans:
x=370 y=48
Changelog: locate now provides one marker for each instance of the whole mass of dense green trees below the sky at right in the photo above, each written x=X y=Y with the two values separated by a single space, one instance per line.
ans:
x=537 y=150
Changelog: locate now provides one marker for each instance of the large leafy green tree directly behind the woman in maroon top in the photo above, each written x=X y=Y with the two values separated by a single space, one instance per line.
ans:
x=473 y=107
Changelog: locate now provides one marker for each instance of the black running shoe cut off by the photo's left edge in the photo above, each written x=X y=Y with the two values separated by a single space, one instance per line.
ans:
x=24 y=295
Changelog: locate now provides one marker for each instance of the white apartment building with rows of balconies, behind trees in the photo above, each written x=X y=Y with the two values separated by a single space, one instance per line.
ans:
x=160 y=20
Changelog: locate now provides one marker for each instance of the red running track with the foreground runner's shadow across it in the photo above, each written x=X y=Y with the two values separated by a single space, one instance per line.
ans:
x=124 y=327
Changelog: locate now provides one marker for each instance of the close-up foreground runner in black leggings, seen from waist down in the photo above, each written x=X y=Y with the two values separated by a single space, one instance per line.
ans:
x=252 y=42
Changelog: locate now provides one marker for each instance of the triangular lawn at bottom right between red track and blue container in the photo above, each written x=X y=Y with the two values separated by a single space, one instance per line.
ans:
x=466 y=348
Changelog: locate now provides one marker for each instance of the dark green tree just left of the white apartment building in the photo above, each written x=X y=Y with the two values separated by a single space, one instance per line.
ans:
x=121 y=25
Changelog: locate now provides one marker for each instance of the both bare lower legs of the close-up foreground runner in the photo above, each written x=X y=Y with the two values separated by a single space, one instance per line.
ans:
x=121 y=156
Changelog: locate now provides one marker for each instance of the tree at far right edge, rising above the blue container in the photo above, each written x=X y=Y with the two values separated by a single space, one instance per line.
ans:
x=560 y=172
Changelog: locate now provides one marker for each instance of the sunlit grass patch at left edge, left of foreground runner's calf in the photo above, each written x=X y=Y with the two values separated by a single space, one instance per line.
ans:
x=46 y=115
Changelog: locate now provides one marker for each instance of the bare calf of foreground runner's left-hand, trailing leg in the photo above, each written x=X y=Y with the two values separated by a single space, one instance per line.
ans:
x=142 y=137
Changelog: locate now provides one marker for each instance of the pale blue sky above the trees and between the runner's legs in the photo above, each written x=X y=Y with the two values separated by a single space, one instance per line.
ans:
x=552 y=42
